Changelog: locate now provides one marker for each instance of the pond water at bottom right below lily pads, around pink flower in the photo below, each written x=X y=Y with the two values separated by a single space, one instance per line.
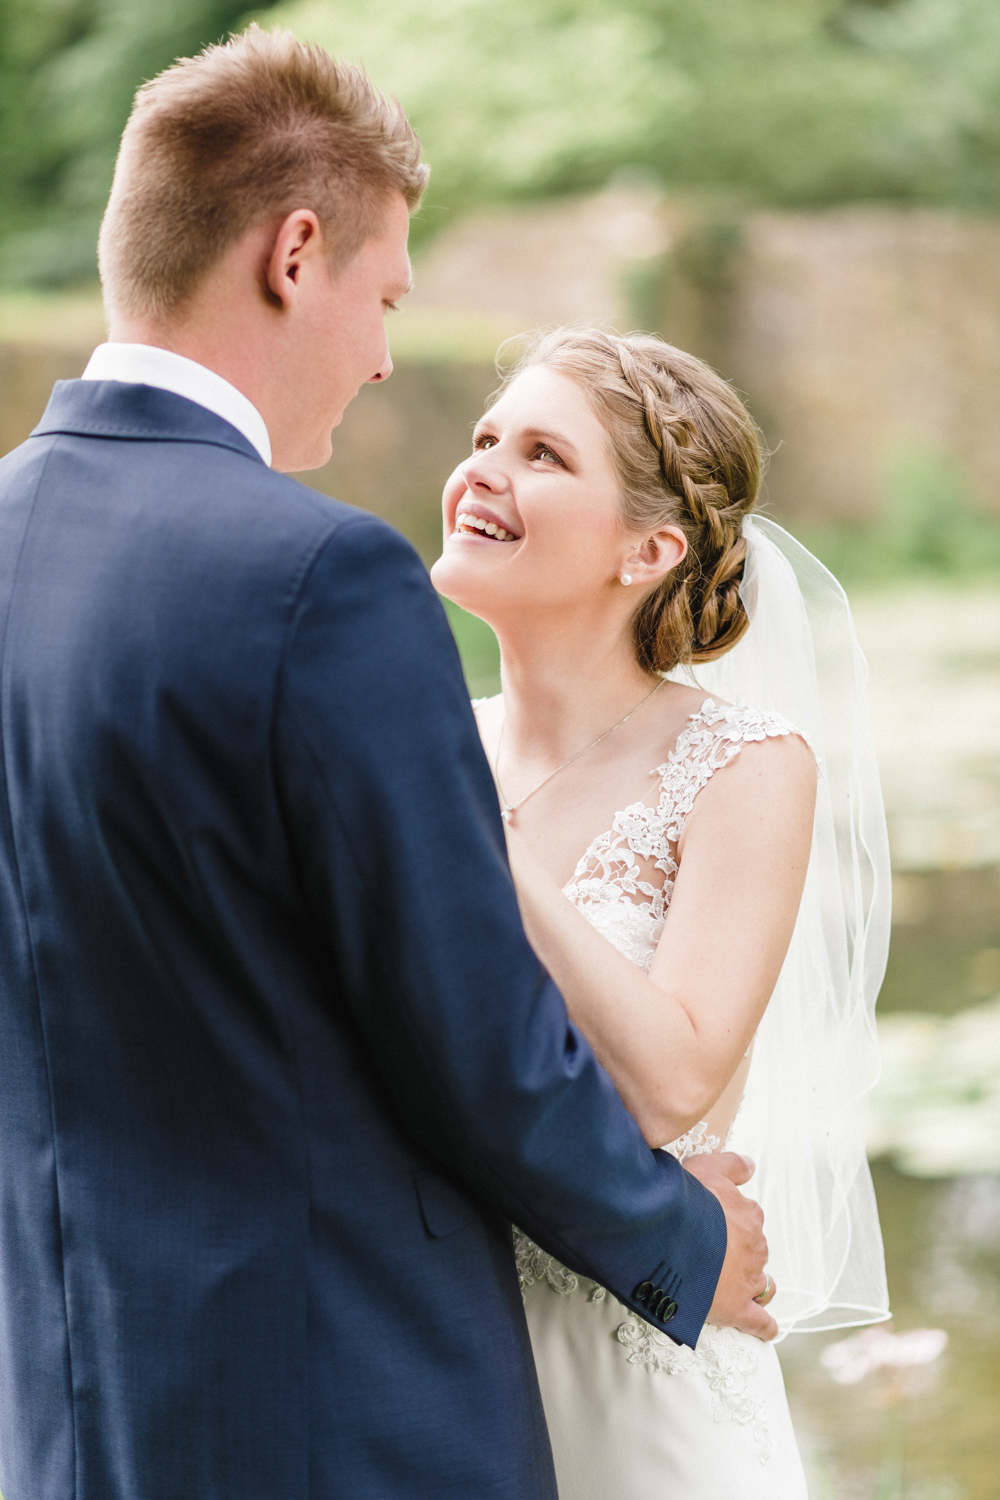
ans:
x=944 y=1258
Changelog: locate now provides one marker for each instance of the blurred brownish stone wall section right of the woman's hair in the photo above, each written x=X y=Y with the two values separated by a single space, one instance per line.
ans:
x=855 y=335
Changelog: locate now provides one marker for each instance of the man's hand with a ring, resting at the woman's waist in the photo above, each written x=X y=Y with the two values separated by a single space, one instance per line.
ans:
x=744 y=1286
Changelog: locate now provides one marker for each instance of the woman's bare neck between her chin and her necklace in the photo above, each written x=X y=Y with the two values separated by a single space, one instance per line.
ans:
x=564 y=686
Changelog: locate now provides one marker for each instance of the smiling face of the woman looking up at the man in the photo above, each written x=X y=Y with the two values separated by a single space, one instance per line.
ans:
x=531 y=518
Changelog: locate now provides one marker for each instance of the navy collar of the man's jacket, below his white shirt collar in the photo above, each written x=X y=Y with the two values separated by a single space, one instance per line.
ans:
x=107 y=409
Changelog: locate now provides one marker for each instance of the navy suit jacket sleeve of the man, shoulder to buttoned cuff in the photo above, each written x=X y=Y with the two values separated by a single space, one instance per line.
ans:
x=394 y=815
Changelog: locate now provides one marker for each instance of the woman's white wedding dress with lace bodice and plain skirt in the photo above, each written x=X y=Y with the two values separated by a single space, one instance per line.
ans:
x=632 y=1415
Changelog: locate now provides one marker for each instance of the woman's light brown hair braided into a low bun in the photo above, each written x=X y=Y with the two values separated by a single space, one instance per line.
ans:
x=687 y=455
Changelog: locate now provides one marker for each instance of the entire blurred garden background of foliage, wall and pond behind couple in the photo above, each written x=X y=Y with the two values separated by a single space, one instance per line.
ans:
x=807 y=194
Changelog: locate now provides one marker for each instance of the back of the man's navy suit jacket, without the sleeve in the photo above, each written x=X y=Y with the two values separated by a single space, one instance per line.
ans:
x=208 y=1208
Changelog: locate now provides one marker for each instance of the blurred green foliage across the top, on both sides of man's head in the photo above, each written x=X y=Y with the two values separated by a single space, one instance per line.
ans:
x=795 y=103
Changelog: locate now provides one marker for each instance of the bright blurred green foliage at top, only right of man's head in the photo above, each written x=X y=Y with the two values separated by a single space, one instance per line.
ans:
x=794 y=103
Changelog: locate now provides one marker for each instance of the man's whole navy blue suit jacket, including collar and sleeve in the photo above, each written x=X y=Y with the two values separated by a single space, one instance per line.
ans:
x=278 y=1066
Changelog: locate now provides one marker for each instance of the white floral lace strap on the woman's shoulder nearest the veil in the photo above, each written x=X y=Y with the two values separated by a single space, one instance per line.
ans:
x=713 y=739
